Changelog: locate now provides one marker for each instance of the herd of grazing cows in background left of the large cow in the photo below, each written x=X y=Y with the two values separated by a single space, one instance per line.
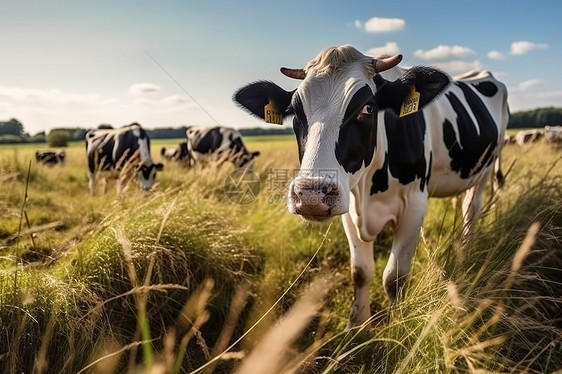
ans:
x=125 y=153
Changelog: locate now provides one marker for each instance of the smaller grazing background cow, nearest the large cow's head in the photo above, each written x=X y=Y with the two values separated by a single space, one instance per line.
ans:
x=218 y=145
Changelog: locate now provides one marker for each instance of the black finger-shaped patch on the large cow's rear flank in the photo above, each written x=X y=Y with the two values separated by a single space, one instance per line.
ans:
x=475 y=151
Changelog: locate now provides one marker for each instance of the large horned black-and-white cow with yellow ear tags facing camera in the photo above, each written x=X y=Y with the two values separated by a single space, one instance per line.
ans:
x=361 y=159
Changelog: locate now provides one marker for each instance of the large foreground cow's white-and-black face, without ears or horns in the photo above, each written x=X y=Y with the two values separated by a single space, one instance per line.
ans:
x=334 y=122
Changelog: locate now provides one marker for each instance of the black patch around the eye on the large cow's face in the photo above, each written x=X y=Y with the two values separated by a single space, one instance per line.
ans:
x=358 y=136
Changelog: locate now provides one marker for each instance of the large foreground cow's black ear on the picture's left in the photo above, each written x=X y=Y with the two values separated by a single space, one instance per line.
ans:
x=255 y=96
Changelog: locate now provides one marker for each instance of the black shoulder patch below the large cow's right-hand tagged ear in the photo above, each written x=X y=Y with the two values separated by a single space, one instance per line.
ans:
x=406 y=151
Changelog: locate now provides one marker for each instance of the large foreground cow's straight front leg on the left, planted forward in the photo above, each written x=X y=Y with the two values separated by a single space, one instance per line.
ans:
x=362 y=270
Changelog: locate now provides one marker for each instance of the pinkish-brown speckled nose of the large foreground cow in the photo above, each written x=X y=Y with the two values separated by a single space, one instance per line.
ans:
x=314 y=197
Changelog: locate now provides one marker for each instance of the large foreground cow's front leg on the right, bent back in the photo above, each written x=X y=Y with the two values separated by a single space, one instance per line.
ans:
x=404 y=245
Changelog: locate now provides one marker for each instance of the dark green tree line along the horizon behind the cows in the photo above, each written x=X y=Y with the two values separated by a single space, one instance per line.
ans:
x=13 y=131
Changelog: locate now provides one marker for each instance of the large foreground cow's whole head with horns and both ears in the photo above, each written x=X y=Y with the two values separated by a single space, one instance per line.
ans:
x=335 y=111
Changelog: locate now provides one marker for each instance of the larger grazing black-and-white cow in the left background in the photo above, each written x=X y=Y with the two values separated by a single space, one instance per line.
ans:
x=119 y=153
